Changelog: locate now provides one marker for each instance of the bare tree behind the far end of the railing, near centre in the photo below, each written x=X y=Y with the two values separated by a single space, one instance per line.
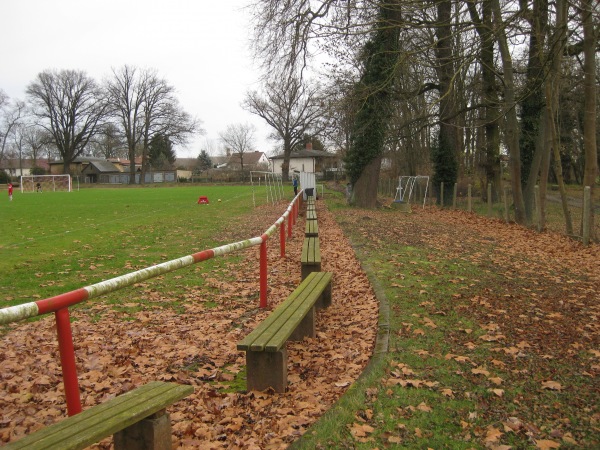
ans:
x=291 y=108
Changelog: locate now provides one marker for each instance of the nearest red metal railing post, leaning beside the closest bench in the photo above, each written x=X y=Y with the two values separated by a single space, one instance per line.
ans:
x=67 y=361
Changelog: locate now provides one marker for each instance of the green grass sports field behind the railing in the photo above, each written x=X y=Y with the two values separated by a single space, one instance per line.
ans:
x=56 y=242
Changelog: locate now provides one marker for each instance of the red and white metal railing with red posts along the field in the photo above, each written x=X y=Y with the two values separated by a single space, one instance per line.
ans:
x=59 y=304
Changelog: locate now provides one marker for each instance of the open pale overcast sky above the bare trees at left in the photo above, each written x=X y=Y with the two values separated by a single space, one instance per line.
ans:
x=200 y=47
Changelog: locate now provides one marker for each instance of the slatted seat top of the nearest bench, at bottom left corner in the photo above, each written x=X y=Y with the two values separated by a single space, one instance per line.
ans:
x=94 y=424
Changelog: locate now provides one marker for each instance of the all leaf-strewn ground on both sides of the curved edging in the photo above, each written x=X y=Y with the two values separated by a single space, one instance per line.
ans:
x=493 y=341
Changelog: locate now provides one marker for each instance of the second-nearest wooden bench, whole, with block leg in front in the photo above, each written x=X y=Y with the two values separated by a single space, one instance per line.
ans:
x=266 y=355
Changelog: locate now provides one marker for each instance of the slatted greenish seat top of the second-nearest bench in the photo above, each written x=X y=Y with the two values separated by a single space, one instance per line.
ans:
x=260 y=336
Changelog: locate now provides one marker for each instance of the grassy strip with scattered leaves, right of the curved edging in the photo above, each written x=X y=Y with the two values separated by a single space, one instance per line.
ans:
x=451 y=378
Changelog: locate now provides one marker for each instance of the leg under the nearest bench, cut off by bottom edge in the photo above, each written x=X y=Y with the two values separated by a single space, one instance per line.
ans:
x=152 y=433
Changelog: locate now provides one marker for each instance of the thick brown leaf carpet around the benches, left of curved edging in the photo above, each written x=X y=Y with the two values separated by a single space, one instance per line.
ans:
x=118 y=349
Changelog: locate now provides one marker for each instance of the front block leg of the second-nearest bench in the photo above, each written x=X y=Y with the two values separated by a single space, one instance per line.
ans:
x=266 y=370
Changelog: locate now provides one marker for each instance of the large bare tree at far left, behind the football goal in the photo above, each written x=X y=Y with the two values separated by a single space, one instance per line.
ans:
x=71 y=107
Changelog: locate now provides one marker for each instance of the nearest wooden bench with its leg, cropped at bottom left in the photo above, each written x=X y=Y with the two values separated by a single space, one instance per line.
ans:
x=137 y=419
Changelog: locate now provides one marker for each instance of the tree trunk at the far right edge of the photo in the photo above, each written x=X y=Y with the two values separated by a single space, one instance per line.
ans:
x=589 y=120
